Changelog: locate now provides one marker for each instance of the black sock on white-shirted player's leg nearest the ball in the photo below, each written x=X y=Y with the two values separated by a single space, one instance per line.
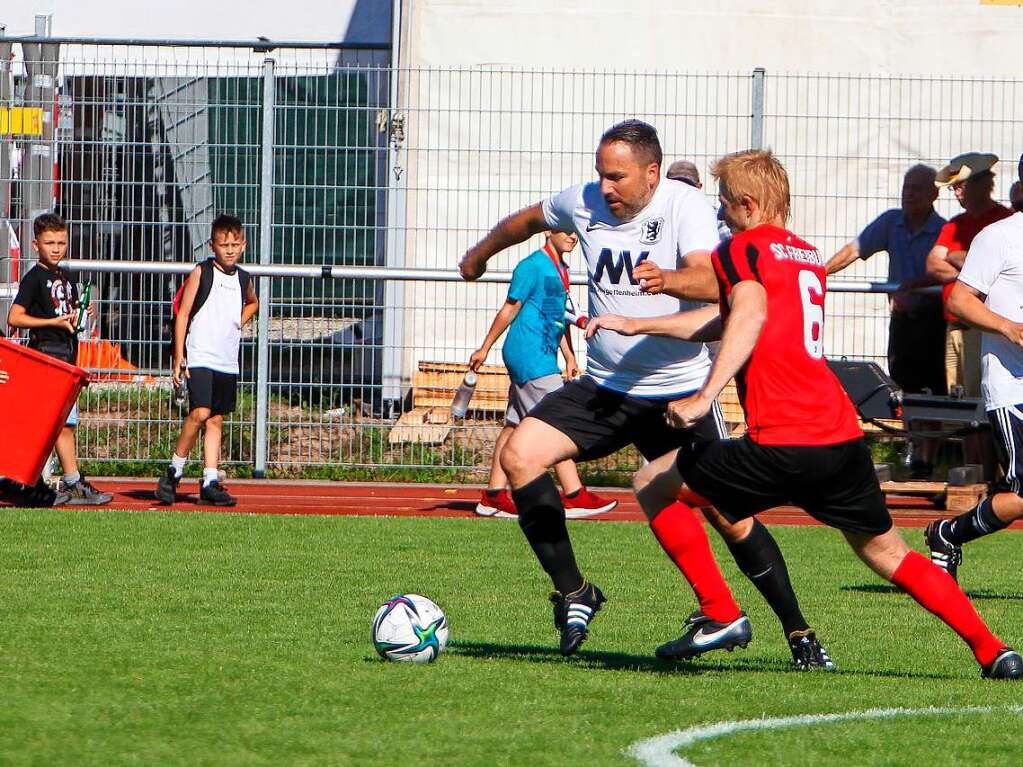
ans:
x=542 y=517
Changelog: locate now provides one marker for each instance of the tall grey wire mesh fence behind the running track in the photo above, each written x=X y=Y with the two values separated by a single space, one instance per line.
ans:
x=341 y=158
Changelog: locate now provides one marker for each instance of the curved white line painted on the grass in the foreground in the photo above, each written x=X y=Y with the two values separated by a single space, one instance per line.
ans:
x=660 y=751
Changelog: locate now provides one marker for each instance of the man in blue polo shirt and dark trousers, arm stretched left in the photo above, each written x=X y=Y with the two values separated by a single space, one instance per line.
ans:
x=917 y=330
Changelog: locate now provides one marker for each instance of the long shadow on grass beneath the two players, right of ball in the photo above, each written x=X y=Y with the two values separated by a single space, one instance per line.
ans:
x=606 y=661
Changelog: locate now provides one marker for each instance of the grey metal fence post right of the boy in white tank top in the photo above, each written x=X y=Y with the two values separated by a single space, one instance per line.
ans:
x=265 y=258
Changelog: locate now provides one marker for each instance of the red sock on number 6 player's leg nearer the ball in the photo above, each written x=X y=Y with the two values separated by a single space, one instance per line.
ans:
x=684 y=539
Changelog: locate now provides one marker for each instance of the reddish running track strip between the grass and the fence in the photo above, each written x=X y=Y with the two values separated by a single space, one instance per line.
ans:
x=337 y=499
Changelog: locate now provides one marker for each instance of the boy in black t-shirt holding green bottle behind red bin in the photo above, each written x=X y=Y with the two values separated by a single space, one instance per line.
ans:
x=47 y=305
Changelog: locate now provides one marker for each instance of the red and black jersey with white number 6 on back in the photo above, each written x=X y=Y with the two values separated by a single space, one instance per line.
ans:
x=788 y=393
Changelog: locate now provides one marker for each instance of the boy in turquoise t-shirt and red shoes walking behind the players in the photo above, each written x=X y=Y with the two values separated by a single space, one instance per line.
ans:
x=536 y=312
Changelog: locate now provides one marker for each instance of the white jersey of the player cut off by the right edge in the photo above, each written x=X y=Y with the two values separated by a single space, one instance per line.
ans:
x=995 y=267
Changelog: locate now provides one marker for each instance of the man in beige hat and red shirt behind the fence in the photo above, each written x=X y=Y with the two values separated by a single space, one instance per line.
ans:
x=972 y=182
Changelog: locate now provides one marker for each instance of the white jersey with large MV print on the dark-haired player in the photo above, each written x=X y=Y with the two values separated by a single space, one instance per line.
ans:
x=678 y=221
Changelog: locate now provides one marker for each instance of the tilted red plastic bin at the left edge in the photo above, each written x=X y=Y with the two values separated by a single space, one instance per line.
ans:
x=34 y=407
